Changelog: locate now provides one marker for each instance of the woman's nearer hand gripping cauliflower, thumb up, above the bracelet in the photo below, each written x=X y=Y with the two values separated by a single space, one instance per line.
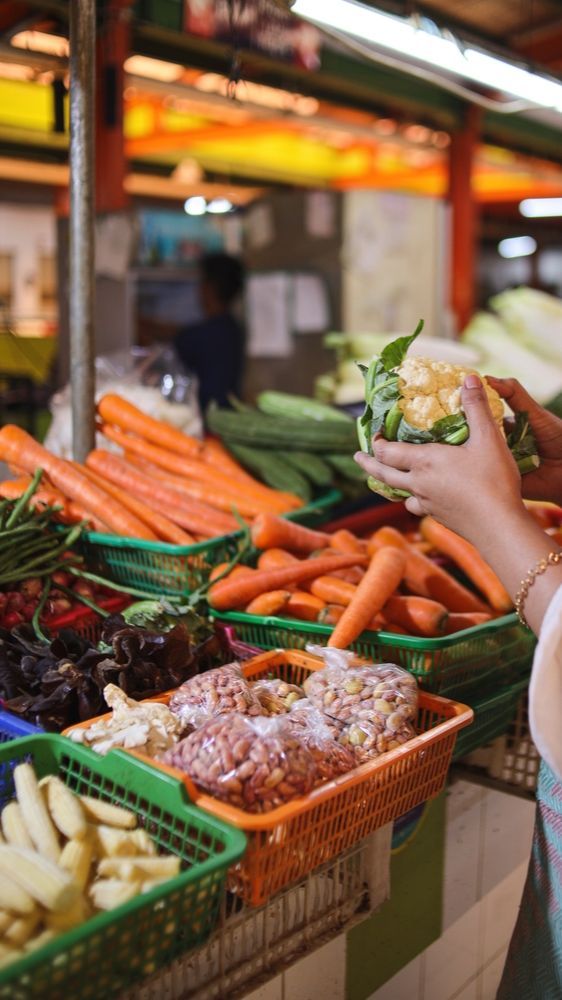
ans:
x=464 y=486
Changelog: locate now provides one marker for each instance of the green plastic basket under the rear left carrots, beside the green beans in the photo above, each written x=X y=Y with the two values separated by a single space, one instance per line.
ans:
x=161 y=568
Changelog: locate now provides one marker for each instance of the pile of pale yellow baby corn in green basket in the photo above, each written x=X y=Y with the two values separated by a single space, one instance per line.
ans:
x=65 y=858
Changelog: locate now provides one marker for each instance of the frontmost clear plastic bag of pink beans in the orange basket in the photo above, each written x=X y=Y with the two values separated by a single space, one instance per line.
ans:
x=256 y=764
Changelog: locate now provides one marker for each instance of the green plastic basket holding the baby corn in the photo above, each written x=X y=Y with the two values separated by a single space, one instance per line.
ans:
x=114 y=950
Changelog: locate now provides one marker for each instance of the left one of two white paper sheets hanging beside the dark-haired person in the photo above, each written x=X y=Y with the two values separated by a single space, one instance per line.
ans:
x=268 y=315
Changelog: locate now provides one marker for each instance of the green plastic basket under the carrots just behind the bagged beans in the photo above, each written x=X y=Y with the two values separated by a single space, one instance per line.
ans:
x=472 y=661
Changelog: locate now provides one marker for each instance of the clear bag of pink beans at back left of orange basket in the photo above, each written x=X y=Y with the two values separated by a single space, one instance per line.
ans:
x=215 y=692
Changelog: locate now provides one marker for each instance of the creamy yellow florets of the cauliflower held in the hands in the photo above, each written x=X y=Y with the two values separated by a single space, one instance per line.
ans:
x=431 y=390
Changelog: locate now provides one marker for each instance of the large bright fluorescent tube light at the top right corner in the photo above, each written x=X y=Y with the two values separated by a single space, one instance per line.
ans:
x=401 y=36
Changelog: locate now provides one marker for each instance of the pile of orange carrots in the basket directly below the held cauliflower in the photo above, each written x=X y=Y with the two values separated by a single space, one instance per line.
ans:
x=389 y=581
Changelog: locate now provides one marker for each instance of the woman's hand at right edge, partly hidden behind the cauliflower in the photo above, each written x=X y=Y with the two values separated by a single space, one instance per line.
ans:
x=544 y=483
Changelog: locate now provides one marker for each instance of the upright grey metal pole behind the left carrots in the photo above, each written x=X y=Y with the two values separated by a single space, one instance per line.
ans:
x=81 y=234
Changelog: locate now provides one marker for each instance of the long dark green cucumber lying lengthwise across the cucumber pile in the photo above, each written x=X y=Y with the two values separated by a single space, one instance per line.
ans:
x=261 y=430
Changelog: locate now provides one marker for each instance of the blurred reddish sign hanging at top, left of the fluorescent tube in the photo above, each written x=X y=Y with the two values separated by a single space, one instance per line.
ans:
x=255 y=24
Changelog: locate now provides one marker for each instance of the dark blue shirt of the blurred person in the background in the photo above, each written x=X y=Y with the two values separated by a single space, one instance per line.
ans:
x=214 y=350
